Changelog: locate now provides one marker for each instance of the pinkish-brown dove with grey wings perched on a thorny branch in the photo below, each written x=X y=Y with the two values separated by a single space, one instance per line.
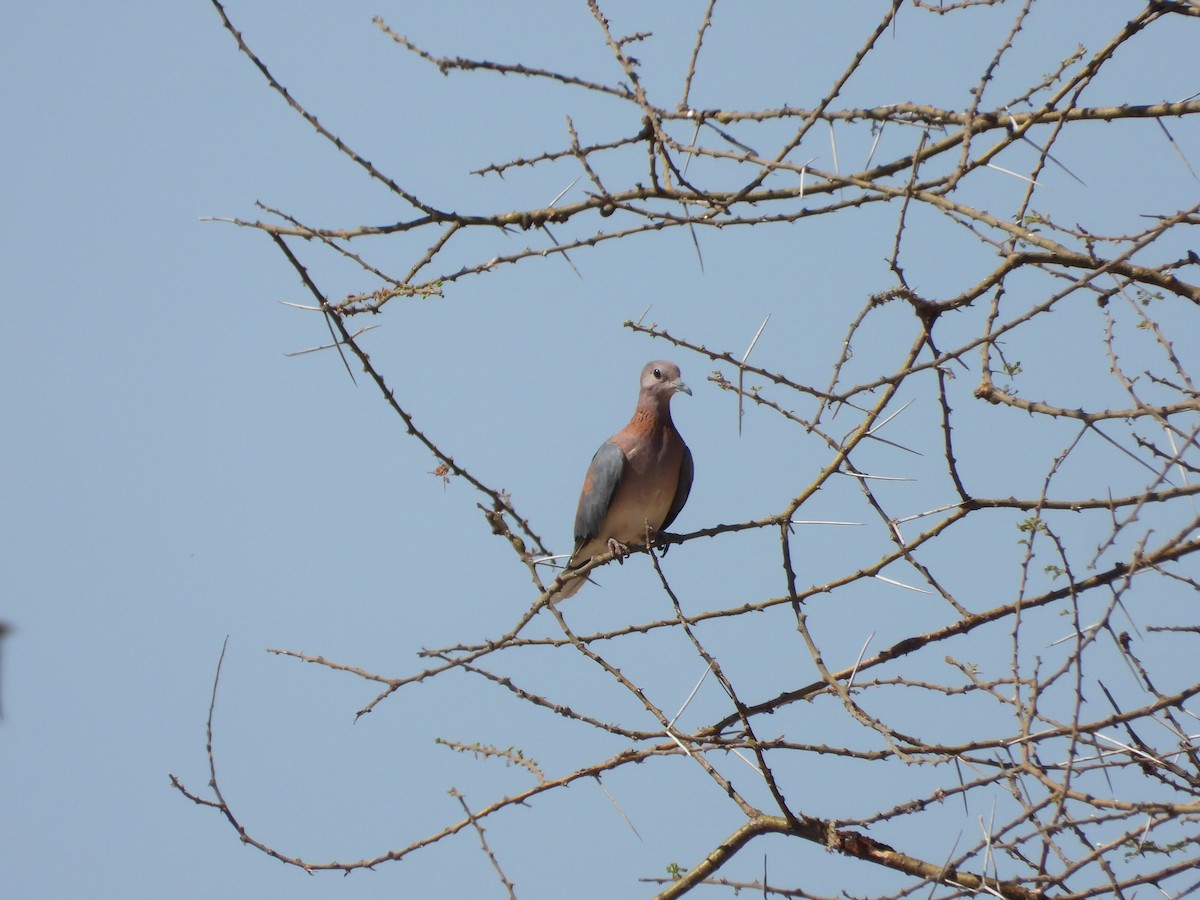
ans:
x=639 y=479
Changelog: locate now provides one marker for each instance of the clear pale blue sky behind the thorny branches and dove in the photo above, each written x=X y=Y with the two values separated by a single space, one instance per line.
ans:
x=172 y=477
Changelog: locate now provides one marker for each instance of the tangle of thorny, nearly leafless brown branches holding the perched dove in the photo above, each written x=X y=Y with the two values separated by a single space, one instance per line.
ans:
x=1049 y=694
